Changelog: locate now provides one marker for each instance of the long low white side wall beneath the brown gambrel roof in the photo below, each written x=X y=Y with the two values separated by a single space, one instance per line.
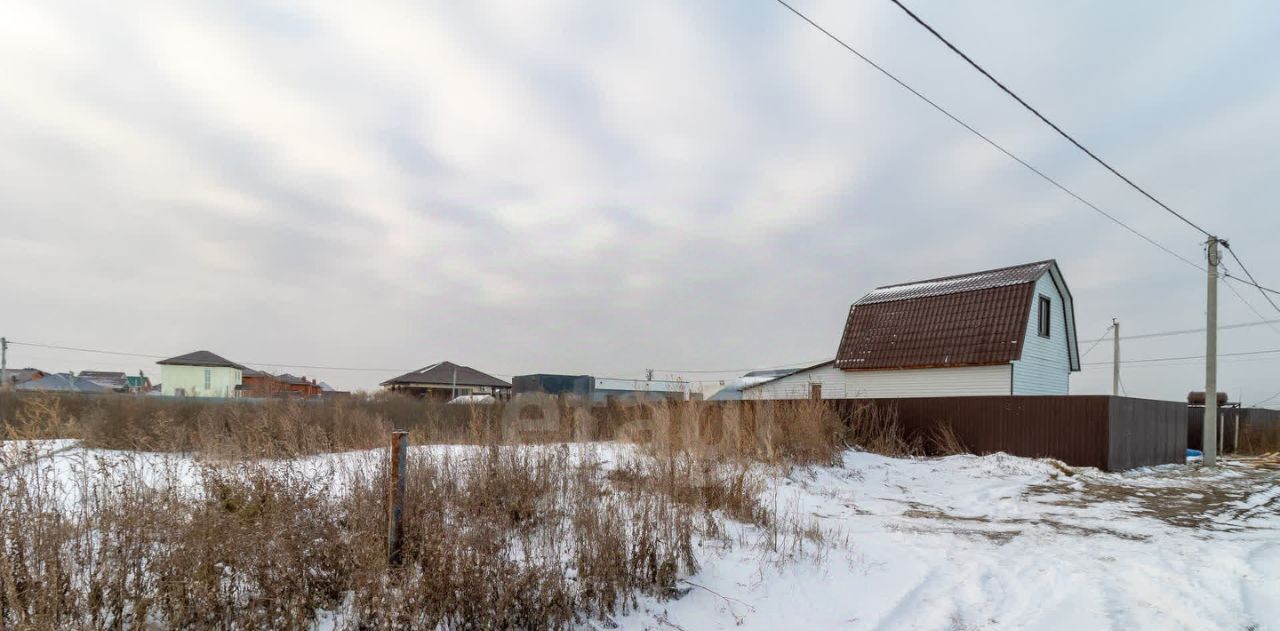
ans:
x=840 y=385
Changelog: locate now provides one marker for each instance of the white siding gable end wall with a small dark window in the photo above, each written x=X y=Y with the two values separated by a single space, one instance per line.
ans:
x=1045 y=367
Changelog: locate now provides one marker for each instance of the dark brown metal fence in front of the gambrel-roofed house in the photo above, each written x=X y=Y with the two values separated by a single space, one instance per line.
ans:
x=1110 y=433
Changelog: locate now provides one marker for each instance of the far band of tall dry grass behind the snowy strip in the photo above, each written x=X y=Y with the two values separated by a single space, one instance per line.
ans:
x=802 y=432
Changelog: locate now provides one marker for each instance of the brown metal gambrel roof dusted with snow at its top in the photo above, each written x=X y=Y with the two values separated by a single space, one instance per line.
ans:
x=966 y=321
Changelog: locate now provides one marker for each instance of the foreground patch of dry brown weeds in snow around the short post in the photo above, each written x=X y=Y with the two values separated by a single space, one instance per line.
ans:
x=496 y=538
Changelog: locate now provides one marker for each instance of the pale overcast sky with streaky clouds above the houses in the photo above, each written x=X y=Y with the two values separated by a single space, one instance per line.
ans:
x=604 y=188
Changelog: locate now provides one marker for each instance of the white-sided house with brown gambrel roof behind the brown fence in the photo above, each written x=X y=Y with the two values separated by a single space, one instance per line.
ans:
x=1009 y=331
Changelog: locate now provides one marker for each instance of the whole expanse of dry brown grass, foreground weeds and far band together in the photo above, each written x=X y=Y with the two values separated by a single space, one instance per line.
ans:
x=253 y=534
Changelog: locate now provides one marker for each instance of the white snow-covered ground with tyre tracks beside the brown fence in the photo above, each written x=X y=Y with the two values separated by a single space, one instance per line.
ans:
x=954 y=543
